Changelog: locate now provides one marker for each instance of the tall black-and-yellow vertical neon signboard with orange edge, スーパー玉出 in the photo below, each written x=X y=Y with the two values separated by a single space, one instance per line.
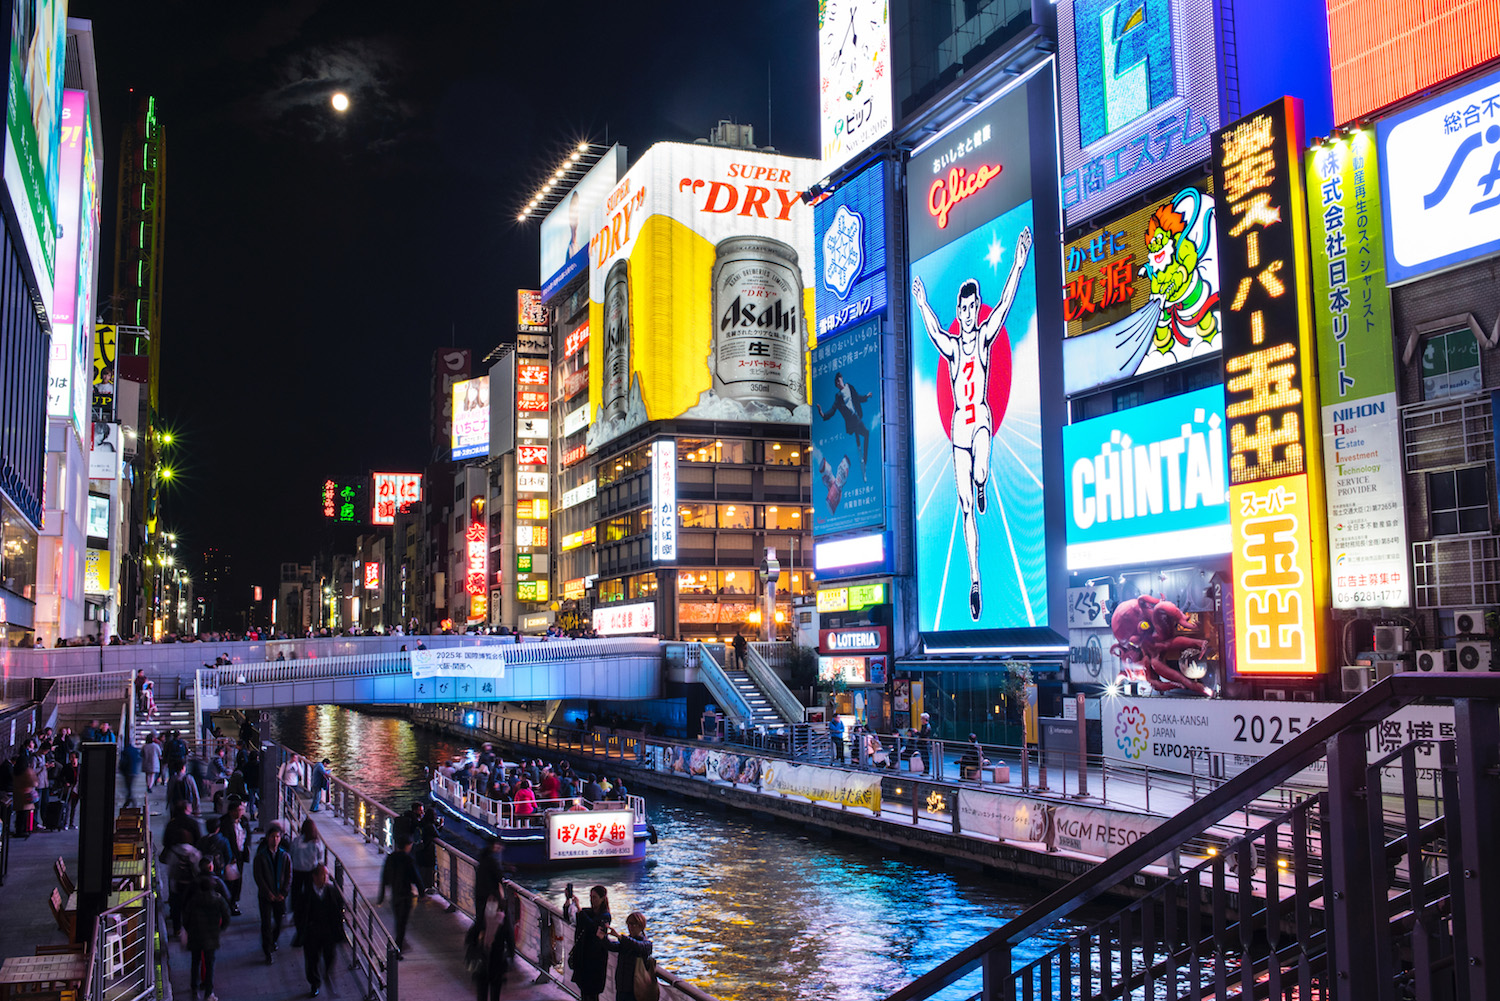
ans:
x=1270 y=397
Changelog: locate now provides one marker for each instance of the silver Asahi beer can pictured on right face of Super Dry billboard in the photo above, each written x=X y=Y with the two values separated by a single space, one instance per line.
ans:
x=760 y=323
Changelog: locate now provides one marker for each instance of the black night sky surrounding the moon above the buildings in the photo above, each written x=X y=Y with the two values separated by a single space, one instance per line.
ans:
x=314 y=262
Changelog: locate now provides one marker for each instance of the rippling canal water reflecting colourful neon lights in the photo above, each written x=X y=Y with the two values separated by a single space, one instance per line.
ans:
x=746 y=909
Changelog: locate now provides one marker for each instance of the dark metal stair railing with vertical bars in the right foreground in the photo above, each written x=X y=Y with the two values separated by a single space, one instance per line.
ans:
x=1319 y=903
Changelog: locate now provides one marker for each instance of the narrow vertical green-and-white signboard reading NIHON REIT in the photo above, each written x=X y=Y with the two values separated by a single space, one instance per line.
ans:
x=1357 y=377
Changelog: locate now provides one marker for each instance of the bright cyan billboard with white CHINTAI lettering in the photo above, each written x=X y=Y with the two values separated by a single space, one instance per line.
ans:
x=1150 y=482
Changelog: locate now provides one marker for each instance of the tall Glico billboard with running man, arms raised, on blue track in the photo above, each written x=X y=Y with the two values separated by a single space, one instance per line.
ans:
x=986 y=389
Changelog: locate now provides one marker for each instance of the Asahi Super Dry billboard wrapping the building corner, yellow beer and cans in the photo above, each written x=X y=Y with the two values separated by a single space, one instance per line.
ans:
x=701 y=290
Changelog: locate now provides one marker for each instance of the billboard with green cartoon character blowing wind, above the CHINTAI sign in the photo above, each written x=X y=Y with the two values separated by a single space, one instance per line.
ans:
x=1144 y=293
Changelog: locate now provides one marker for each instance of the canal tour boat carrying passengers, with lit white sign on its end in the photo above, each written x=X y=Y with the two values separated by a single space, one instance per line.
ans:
x=560 y=834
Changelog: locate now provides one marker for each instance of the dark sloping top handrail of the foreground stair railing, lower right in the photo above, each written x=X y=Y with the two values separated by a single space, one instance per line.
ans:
x=1366 y=711
